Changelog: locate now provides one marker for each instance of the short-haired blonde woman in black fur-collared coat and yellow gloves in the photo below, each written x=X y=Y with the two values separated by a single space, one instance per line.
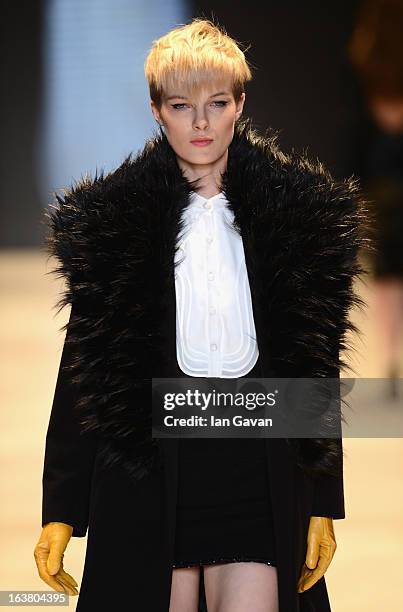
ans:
x=210 y=253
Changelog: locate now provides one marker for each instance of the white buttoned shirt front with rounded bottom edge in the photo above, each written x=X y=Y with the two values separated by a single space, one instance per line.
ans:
x=215 y=330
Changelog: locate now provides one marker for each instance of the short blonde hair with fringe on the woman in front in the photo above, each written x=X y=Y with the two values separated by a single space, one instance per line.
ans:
x=195 y=54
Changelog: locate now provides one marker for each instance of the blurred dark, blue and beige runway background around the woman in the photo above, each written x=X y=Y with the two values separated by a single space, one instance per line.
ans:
x=329 y=76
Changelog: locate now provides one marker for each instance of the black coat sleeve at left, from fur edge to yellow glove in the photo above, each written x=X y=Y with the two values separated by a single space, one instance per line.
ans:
x=69 y=456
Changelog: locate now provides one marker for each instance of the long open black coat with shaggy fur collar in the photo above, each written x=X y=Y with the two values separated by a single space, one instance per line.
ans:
x=114 y=237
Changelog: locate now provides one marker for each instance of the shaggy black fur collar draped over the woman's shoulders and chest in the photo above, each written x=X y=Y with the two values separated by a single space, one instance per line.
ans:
x=114 y=238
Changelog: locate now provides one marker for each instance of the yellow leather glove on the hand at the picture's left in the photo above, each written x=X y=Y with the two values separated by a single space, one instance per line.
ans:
x=49 y=552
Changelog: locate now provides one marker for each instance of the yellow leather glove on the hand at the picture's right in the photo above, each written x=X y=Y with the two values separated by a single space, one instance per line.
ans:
x=321 y=548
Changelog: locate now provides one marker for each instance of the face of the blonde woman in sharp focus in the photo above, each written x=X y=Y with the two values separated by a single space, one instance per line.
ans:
x=210 y=113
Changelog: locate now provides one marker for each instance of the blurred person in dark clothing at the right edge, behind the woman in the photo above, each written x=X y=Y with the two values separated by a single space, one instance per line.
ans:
x=376 y=52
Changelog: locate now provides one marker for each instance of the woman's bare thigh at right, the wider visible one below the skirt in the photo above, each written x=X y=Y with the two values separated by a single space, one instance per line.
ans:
x=241 y=586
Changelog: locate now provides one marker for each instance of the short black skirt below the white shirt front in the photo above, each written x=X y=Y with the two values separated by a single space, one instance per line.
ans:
x=224 y=508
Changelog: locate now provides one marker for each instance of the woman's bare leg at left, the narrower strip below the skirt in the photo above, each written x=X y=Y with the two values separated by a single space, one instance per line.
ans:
x=185 y=589
